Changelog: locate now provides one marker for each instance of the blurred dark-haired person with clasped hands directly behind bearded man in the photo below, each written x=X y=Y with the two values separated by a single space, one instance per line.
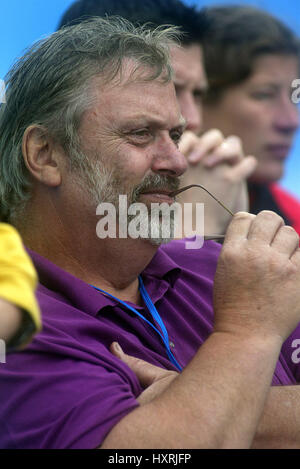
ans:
x=216 y=162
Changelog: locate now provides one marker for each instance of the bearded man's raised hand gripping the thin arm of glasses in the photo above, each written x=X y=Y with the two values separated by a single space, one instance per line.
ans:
x=257 y=280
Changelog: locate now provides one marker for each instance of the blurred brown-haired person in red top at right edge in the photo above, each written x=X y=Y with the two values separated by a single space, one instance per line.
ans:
x=251 y=60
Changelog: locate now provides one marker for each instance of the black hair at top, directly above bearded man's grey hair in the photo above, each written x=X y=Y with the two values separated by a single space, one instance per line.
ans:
x=193 y=24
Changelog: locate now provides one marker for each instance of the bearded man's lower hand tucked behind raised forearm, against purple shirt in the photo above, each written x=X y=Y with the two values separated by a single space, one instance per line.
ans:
x=154 y=379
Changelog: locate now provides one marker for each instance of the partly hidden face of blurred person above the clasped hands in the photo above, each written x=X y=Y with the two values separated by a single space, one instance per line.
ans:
x=190 y=83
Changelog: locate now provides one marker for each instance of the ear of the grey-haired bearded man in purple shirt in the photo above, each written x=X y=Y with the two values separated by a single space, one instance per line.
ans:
x=41 y=156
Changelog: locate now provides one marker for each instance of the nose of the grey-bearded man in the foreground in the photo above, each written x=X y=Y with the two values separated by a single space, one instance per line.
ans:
x=168 y=160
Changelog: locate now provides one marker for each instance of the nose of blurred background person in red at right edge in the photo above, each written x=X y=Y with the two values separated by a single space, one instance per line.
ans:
x=287 y=116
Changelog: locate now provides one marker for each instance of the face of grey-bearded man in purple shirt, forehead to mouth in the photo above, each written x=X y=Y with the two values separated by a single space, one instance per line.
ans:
x=130 y=138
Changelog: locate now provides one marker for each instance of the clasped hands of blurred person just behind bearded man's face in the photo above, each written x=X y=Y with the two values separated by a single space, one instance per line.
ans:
x=220 y=165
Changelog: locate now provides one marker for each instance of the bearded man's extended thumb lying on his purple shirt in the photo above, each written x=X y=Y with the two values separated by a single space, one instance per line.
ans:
x=145 y=372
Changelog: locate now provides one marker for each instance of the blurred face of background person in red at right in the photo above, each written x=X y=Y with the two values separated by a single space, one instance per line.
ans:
x=260 y=111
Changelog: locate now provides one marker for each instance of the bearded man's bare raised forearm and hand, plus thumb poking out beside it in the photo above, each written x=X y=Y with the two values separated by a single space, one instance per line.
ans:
x=218 y=399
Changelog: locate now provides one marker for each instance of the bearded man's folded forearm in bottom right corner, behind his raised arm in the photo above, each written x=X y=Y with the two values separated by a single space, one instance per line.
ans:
x=280 y=423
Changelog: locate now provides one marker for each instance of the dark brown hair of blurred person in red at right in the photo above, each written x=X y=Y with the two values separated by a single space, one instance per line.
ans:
x=236 y=37
